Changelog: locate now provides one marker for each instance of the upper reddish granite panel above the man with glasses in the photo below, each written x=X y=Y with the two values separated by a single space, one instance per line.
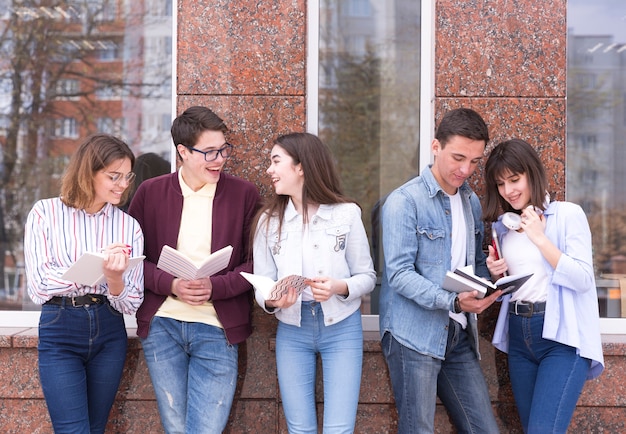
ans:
x=245 y=48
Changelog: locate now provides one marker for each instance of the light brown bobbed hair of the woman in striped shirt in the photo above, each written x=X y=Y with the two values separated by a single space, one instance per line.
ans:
x=94 y=154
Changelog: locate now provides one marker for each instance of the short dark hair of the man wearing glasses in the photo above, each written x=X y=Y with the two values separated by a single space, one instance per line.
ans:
x=187 y=128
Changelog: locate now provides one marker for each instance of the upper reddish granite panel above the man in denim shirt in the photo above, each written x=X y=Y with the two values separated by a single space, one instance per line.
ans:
x=503 y=49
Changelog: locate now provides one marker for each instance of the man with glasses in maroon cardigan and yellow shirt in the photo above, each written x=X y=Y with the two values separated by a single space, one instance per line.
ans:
x=190 y=329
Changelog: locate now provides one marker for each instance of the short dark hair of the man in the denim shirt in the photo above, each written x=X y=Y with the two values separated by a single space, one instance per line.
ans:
x=462 y=122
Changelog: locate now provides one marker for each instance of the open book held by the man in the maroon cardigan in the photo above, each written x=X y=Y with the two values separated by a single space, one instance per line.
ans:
x=181 y=266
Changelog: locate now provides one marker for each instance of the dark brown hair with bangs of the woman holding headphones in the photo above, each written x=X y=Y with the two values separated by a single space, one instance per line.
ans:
x=518 y=157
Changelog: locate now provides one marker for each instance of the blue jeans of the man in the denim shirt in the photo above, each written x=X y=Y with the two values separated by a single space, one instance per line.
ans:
x=417 y=380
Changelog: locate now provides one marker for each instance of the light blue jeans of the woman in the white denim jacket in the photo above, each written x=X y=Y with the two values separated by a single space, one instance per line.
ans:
x=341 y=349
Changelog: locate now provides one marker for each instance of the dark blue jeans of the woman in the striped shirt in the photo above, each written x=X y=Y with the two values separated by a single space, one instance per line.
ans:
x=81 y=358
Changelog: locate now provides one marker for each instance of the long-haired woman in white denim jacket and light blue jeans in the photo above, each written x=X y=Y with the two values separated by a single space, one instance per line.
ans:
x=309 y=228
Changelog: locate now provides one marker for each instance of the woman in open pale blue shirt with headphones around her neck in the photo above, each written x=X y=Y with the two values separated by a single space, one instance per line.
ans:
x=550 y=326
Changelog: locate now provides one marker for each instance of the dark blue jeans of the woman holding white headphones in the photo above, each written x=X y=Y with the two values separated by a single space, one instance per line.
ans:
x=547 y=377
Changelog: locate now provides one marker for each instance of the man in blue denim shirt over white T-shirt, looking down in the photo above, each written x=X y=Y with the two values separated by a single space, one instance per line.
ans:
x=432 y=224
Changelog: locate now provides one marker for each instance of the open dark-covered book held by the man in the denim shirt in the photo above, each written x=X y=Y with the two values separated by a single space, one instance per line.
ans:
x=463 y=279
